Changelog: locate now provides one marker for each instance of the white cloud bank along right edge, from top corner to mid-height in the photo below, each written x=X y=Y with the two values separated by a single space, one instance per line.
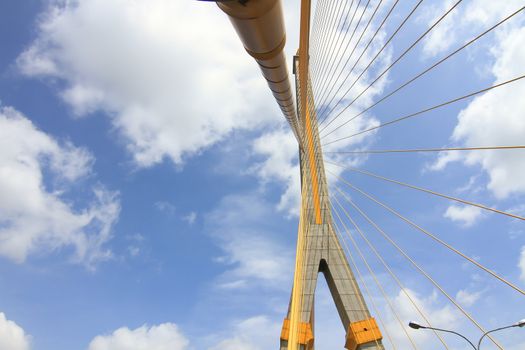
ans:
x=494 y=118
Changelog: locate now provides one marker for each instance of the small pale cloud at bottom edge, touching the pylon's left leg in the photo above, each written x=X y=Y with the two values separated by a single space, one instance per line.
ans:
x=255 y=333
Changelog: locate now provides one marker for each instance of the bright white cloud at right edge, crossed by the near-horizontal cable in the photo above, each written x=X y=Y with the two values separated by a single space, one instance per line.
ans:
x=494 y=119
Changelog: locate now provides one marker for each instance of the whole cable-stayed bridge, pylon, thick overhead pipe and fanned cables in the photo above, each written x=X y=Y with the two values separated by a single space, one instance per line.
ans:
x=340 y=44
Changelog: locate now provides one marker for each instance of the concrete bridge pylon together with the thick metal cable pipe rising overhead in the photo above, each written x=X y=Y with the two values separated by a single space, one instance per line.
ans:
x=260 y=26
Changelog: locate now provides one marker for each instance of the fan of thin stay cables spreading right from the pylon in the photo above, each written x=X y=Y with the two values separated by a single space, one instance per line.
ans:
x=354 y=47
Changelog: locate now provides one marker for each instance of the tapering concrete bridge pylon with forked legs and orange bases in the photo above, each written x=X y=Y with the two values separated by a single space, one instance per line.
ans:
x=319 y=249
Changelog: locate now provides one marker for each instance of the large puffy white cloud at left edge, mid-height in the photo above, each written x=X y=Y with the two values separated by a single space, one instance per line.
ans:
x=35 y=170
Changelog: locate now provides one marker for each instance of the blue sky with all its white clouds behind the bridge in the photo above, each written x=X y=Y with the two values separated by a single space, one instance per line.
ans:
x=149 y=184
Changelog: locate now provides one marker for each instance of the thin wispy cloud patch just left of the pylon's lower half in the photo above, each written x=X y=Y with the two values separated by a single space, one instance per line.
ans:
x=239 y=224
